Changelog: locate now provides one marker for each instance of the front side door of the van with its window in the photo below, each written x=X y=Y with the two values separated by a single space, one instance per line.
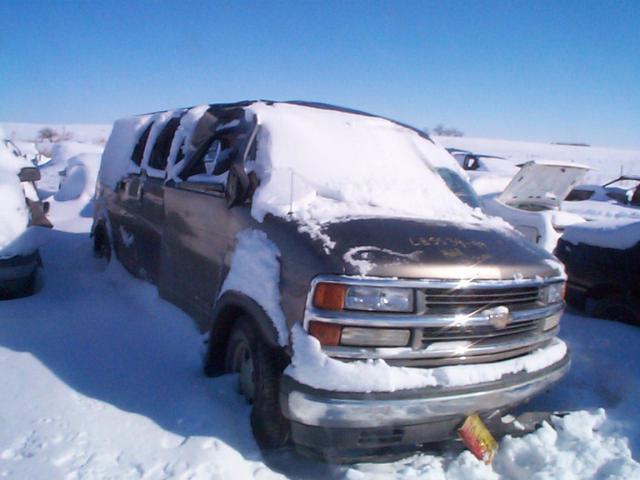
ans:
x=199 y=229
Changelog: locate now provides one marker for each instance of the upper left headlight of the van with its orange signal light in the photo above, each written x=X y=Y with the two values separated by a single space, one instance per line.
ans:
x=337 y=296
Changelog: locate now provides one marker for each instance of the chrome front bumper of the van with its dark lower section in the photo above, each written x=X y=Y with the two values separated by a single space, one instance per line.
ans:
x=326 y=420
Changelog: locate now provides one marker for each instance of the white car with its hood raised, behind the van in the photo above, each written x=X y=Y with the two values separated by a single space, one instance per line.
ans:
x=532 y=200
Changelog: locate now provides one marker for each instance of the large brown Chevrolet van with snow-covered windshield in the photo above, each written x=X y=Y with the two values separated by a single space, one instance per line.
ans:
x=363 y=305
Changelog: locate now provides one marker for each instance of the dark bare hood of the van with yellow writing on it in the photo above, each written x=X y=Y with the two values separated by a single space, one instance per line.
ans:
x=406 y=248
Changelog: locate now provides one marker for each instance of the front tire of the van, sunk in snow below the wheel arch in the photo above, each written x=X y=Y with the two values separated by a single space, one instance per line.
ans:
x=260 y=368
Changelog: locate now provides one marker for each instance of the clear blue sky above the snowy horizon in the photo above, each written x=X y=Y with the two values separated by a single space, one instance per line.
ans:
x=537 y=70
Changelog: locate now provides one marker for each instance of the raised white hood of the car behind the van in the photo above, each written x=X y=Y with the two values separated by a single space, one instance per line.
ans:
x=542 y=184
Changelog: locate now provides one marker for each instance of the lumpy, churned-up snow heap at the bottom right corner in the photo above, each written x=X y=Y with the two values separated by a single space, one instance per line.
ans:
x=573 y=448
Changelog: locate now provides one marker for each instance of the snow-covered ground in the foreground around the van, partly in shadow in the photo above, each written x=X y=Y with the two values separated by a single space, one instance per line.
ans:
x=102 y=379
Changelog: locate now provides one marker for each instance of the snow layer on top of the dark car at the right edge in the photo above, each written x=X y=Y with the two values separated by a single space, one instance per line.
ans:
x=615 y=233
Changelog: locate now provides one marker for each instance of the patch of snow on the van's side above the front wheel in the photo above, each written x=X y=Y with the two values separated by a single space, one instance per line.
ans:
x=255 y=271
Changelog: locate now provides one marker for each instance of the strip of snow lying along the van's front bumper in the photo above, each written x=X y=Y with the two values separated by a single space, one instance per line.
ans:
x=311 y=366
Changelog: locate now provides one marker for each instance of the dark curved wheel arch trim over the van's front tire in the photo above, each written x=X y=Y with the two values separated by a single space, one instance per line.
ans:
x=231 y=305
